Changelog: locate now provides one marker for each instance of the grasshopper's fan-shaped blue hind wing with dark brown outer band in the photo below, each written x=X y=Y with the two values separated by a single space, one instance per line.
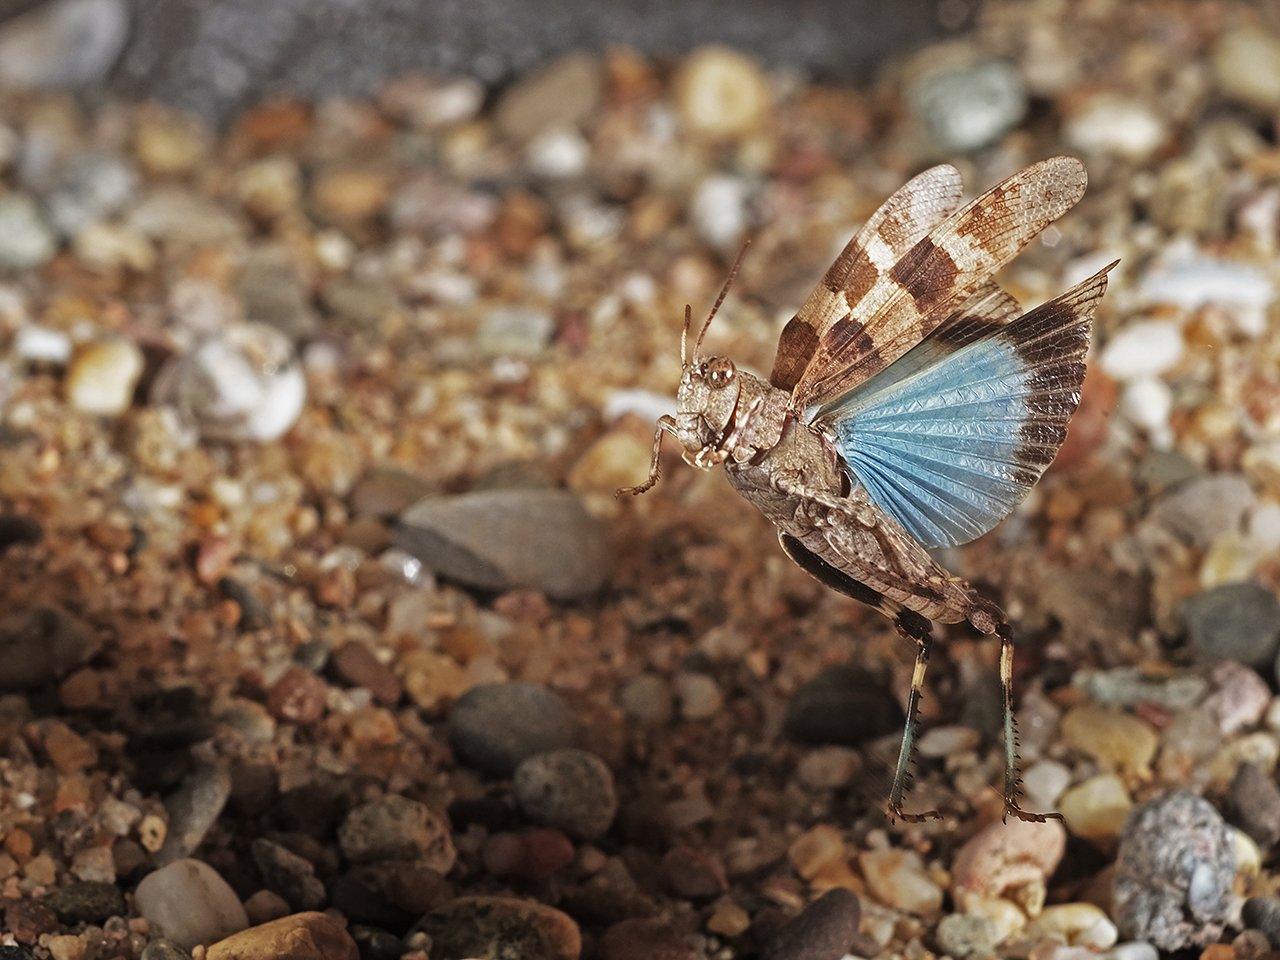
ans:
x=950 y=438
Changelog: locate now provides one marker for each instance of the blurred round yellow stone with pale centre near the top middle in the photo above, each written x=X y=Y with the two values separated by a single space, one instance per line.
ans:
x=721 y=94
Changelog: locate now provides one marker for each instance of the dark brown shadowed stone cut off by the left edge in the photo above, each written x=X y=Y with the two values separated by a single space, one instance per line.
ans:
x=43 y=644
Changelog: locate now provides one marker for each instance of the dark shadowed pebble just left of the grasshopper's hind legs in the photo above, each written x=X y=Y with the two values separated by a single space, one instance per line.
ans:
x=843 y=706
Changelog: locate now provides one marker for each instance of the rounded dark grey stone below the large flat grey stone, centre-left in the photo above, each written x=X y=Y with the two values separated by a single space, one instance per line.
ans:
x=497 y=726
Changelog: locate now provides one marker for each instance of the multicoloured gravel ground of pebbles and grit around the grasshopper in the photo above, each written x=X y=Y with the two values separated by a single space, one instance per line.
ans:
x=323 y=634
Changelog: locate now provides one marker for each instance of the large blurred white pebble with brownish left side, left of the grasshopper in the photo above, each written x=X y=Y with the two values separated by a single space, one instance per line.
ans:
x=244 y=385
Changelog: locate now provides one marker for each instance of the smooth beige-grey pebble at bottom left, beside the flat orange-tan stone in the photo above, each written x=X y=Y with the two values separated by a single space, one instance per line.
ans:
x=190 y=903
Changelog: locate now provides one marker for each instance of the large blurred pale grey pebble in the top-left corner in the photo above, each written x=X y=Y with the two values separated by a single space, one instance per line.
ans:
x=63 y=44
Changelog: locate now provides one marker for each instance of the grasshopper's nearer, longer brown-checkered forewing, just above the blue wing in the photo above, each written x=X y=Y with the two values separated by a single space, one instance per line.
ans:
x=940 y=273
